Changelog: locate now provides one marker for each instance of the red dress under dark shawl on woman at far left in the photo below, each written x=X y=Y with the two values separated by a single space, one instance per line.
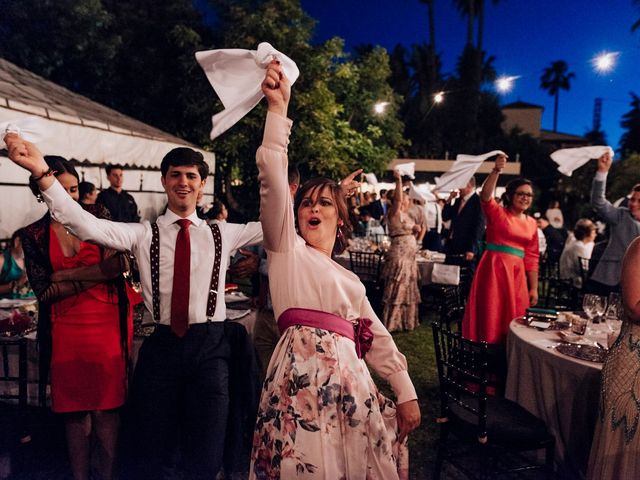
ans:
x=87 y=364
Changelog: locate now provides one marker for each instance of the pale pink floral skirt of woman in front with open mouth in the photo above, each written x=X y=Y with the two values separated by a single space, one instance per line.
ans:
x=321 y=415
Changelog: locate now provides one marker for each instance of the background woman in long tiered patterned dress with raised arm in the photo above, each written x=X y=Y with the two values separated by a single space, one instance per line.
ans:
x=400 y=272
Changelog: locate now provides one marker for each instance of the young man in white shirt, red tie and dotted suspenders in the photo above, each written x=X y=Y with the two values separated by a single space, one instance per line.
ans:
x=180 y=389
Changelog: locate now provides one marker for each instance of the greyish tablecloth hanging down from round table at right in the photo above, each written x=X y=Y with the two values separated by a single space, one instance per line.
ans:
x=561 y=390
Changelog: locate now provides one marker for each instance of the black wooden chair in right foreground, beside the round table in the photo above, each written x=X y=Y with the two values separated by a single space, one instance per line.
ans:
x=494 y=430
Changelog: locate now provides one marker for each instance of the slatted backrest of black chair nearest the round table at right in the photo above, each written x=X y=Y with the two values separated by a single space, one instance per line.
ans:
x=462 y=371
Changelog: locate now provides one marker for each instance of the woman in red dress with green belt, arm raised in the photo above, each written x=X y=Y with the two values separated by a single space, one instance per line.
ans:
x=506 y=280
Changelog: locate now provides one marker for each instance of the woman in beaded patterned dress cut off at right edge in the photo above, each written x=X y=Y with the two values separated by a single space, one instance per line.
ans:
x=616 y=442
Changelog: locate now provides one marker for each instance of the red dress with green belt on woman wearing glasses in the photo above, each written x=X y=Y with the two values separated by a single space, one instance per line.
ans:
x=499 y=292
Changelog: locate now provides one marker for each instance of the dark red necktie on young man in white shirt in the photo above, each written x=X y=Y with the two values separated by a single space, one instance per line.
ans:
x=181 y=277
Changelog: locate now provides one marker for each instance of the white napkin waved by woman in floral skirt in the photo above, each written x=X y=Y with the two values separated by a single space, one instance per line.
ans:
x=236 y=75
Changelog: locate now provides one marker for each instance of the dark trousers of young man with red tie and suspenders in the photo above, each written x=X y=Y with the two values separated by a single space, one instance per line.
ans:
x=180 y=398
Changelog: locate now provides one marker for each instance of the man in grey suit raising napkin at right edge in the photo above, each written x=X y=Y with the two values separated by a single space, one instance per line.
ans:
x=624 y=226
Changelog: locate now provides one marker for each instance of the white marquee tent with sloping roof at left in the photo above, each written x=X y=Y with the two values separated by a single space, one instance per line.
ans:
x=80 y=129
